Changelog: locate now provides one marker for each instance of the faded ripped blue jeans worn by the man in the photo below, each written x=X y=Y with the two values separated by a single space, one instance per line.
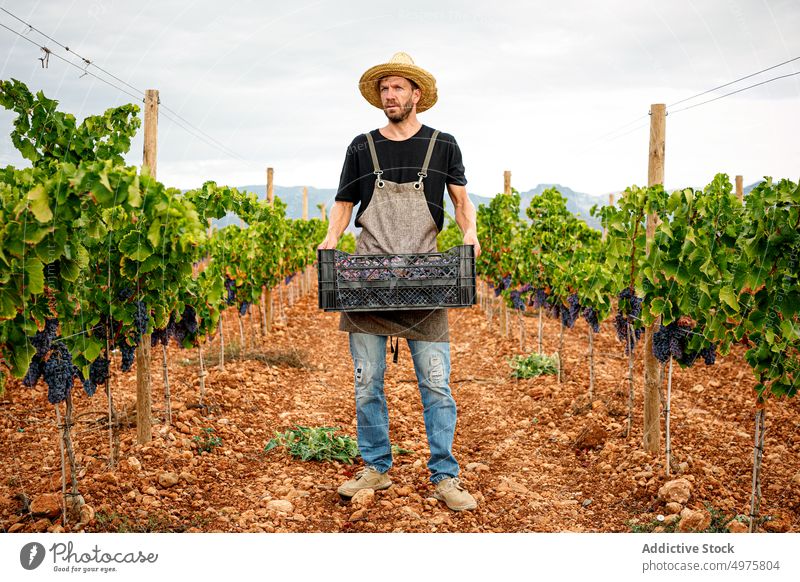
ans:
x=432 y=367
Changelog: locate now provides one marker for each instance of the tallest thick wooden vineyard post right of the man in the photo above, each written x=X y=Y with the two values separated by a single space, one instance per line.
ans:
x=655 y=175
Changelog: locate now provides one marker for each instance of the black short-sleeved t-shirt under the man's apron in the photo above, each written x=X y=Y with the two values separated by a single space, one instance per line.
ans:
x=400 y=162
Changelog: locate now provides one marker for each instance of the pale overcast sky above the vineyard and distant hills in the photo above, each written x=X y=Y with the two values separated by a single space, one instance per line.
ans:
x=547 y=90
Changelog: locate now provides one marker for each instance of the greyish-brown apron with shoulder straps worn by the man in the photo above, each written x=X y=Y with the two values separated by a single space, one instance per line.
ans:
x=398 y=221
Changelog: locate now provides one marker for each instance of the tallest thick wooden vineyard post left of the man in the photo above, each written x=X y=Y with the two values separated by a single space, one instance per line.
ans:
x=143 y=393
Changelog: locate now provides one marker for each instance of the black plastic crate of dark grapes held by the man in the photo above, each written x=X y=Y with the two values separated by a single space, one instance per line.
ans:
x=395 y=282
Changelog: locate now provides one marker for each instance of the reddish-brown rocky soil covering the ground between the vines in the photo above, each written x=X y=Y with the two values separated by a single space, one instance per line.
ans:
x=537 y=454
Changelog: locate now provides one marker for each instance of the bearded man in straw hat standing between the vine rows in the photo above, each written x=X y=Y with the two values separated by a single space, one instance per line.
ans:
x=397 y=174
